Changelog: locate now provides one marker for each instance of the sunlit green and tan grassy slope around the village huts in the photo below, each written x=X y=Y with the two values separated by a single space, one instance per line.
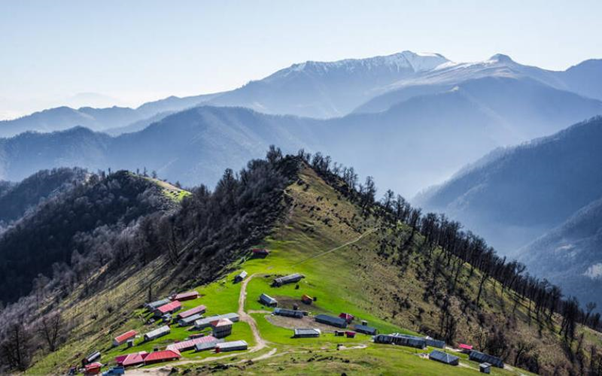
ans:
x=353 y=262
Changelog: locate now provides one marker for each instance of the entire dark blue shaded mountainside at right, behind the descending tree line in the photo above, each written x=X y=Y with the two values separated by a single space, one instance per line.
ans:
x=540 y=202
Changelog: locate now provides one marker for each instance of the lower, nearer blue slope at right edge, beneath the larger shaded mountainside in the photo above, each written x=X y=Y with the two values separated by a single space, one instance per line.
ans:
x=571 y=254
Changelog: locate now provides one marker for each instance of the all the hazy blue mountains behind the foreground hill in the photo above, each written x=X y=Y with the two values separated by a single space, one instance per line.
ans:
x=410 y=120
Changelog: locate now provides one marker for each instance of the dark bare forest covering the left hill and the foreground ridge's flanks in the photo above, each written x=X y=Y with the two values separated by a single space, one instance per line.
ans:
x=119 y=219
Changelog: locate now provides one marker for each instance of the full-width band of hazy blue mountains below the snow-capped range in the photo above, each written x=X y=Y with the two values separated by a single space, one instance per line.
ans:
x=437 y=133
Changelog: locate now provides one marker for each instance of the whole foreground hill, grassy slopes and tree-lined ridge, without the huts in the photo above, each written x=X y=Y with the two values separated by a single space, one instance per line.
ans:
x=382 y=260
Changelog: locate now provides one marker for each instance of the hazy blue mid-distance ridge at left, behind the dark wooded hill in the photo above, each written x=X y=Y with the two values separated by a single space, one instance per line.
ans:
x=190 y=146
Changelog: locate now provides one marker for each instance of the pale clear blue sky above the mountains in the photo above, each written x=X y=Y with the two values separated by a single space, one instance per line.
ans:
x=103 y=53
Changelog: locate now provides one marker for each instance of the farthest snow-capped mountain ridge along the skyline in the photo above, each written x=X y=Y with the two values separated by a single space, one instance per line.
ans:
x=323 y=90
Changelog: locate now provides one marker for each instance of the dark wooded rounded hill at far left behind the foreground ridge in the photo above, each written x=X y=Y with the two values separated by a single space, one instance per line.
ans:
x=77 y=222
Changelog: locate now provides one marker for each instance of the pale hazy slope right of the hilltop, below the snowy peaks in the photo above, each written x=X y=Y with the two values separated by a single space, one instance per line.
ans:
x=440 y=133
